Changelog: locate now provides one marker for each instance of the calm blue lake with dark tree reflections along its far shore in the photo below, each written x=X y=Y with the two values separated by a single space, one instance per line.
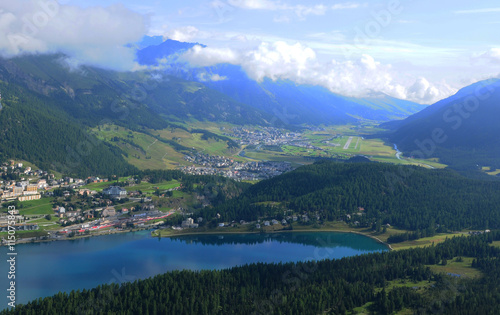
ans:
x=44 y=269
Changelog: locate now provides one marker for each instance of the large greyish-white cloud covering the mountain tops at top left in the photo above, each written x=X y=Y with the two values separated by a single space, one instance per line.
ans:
x=94 y=35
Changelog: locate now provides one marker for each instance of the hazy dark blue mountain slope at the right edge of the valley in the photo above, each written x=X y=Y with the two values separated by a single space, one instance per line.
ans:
x=461 y=130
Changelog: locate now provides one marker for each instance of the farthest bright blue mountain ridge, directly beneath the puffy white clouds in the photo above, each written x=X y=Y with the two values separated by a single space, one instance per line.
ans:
x=292 y=103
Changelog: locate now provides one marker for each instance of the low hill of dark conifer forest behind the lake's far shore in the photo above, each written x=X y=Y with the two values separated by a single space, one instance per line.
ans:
x=408 y=197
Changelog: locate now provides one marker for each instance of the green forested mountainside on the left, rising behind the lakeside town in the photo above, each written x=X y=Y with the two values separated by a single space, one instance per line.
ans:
x=49 y=109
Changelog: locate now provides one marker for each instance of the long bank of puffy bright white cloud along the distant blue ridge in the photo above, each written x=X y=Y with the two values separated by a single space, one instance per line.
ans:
x=358 y=78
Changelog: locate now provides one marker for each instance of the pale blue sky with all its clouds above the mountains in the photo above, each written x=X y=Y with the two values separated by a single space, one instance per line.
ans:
x=418 y=50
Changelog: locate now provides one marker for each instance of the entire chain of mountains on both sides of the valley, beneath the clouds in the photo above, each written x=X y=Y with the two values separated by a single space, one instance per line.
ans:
x=45 y=99
